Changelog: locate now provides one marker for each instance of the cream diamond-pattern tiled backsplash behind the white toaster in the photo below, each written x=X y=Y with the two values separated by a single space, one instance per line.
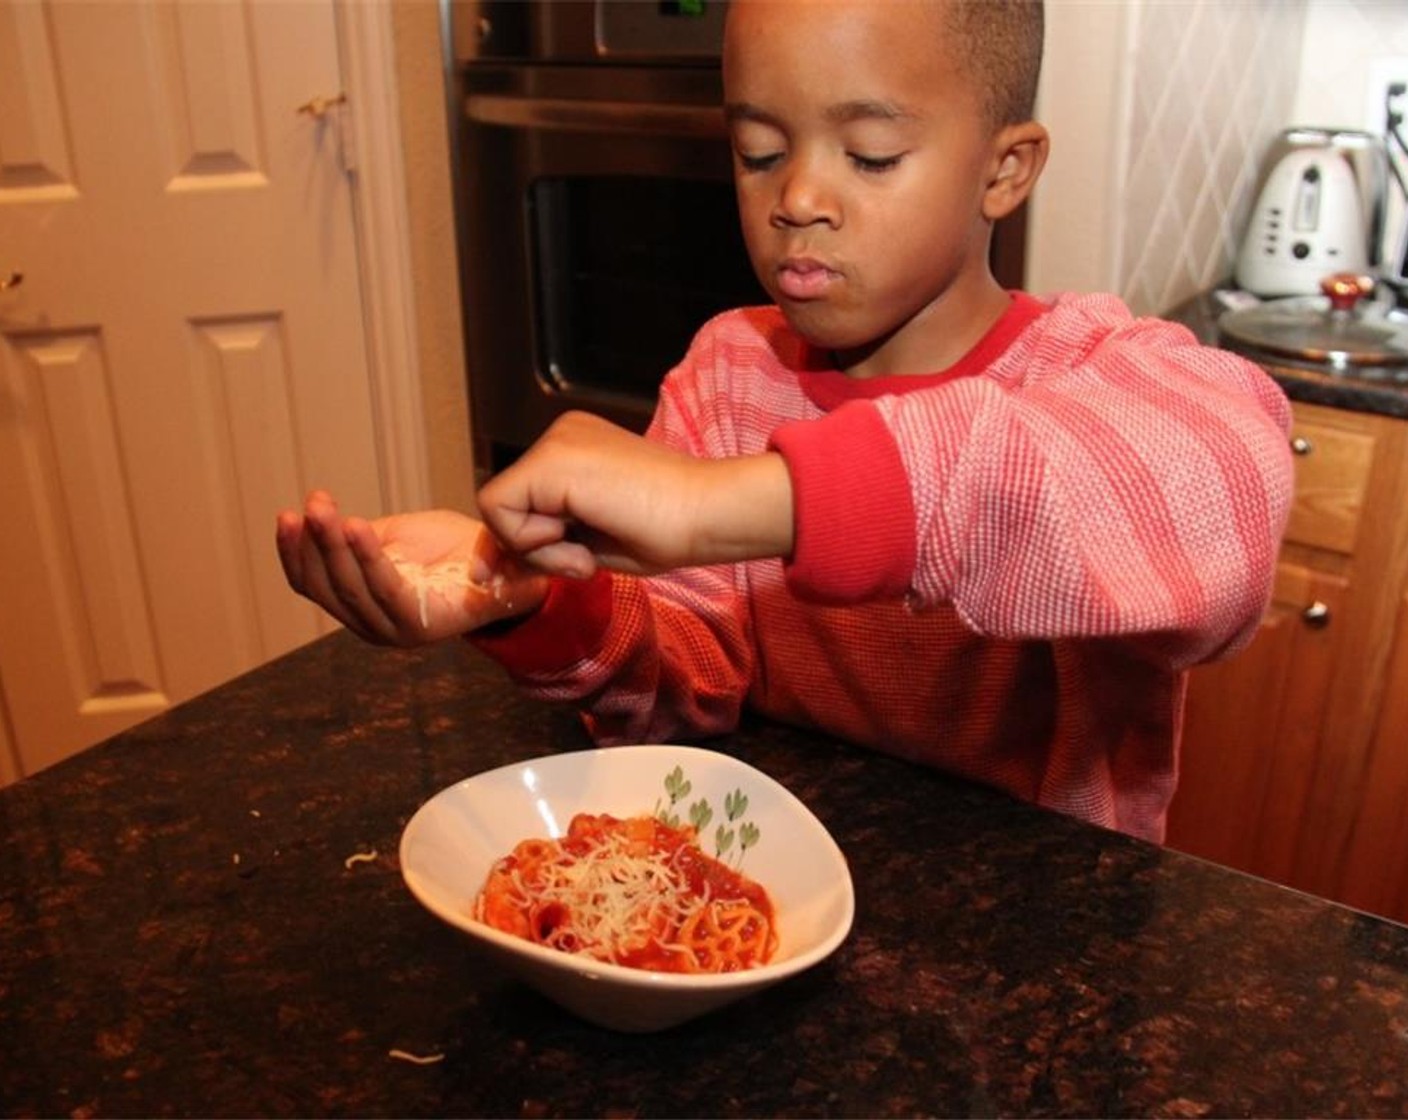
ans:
x=1209 y=87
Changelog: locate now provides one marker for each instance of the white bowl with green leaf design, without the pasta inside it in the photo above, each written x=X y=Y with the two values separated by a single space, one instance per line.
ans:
x=454 y=839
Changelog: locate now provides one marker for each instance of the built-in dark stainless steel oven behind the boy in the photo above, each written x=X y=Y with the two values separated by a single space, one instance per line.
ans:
x=596 y=211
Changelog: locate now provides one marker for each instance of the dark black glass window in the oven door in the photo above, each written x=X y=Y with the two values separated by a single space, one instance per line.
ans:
x=626 y=271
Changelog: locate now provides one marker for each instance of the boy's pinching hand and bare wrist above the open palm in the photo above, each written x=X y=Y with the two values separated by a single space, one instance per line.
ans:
x=591 y=494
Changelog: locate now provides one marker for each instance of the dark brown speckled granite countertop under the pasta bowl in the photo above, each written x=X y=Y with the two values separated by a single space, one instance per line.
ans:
x=181 y=935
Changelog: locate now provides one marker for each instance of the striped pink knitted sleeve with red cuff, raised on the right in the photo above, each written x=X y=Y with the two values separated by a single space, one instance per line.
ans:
x=1107 y=478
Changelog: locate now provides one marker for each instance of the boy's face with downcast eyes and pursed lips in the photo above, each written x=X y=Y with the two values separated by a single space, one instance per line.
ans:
x=861 y=157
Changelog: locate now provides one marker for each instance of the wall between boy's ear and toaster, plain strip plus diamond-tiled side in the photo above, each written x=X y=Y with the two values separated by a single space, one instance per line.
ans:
x=1161 y=115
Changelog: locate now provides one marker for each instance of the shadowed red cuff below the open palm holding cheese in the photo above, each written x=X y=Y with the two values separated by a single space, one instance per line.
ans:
x=570 y=628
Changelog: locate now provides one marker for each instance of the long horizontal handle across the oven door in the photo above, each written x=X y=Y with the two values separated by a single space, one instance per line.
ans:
x=617 y=118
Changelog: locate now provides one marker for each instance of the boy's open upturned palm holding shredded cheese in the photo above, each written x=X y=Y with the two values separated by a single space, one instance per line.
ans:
x=364 y=573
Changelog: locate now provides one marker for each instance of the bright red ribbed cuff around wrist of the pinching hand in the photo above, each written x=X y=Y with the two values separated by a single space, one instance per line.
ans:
x=854 y=511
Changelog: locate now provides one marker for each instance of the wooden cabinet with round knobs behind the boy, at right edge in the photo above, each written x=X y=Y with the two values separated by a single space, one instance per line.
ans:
x=1296 y=752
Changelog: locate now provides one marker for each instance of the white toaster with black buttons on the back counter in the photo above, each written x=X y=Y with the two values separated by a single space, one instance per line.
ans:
x=1320 y=211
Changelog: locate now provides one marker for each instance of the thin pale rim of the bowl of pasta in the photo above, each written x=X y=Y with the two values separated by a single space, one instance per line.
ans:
x=592 y=969
